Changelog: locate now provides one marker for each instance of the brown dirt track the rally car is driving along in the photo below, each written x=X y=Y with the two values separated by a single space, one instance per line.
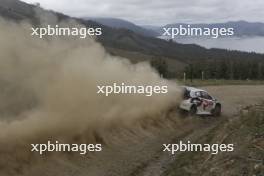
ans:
x=138 y=152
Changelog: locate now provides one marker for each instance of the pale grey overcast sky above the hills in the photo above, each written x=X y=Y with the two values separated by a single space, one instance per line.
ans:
x=160 y=12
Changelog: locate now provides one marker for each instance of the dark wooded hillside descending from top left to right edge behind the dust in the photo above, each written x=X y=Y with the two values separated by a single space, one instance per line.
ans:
x=136 y=47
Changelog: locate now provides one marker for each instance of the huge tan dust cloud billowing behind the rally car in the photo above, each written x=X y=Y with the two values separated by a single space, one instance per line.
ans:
x=48 y=91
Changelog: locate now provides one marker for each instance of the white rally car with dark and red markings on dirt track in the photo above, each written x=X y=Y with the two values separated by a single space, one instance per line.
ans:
x=199 y=102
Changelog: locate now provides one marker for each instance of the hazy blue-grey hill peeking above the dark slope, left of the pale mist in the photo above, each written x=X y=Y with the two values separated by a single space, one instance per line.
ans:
x=119 y=23
